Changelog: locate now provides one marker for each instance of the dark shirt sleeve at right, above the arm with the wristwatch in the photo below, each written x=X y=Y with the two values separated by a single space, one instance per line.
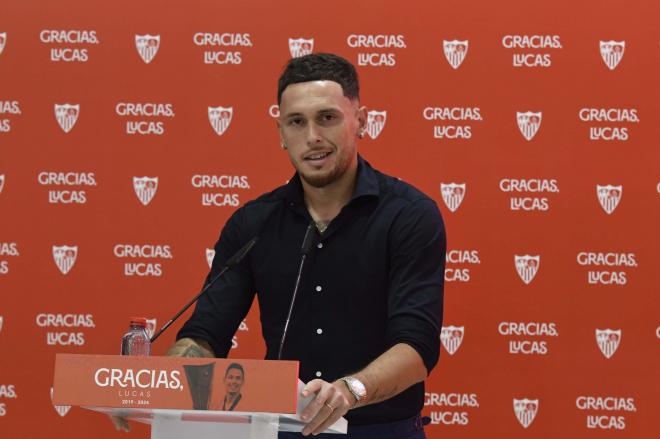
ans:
x=417 y=265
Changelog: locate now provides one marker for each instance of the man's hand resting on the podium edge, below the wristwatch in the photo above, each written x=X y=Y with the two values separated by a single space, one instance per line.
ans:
x=332 y=401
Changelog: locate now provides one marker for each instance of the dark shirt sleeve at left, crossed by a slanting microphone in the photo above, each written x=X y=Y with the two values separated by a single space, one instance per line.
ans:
x=221 y=309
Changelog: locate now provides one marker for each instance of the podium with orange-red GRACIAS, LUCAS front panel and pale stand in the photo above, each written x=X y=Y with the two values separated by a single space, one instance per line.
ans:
x=188 y=397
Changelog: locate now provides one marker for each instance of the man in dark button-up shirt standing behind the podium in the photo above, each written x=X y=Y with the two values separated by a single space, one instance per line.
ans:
x=366 y=322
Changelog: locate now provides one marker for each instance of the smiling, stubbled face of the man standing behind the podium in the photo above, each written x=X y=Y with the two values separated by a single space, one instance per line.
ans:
x=319 y=126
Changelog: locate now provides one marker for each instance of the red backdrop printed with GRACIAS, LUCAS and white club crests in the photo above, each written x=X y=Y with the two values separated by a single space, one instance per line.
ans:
x=539 y=120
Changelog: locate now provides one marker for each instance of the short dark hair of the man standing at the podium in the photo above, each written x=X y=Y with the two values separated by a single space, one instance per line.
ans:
x=320 y=67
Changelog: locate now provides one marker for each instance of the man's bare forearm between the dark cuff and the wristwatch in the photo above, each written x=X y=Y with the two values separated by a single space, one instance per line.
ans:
x=391 y=373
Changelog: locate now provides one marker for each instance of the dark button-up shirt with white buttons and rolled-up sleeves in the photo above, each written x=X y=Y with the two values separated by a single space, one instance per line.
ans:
x=373 y=279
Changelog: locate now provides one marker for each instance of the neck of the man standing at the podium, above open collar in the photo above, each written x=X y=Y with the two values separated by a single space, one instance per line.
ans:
x=325 y=203
